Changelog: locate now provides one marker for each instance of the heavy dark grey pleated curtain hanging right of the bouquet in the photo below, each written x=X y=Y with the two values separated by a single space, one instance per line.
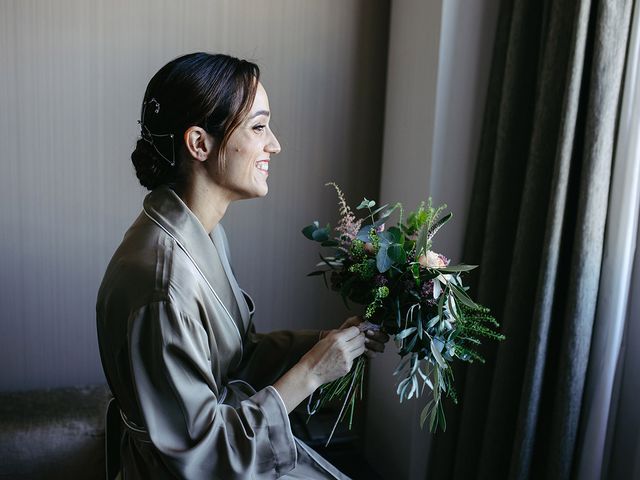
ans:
x=536 y=227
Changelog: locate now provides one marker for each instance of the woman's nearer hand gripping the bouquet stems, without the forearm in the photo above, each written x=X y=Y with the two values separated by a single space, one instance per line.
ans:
x=333 y=356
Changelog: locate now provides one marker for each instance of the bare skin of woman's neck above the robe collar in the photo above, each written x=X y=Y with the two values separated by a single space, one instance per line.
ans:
x=207 y=200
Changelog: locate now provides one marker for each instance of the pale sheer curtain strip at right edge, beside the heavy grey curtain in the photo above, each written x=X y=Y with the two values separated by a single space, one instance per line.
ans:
x=613 y=295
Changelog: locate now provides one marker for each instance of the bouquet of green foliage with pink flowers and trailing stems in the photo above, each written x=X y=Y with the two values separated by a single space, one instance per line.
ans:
x=409 y=291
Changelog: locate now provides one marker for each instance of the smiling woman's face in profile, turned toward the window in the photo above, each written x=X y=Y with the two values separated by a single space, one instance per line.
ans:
x=249 y=151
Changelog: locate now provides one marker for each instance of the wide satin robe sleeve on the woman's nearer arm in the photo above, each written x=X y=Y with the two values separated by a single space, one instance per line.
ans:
x=196 y=435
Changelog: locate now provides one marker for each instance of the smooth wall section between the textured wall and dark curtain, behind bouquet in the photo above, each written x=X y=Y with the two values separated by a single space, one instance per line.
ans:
x=439 y=57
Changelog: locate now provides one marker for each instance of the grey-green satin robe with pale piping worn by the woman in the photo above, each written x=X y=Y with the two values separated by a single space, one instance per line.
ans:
x=191 y=376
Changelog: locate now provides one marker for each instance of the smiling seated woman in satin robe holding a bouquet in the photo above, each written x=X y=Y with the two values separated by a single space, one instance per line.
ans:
x=201 y=395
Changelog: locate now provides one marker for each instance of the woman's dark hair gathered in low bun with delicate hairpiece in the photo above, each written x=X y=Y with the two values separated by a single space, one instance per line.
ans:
x=213 y=91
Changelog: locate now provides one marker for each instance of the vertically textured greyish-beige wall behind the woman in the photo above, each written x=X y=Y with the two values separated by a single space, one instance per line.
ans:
x=72 y=78
